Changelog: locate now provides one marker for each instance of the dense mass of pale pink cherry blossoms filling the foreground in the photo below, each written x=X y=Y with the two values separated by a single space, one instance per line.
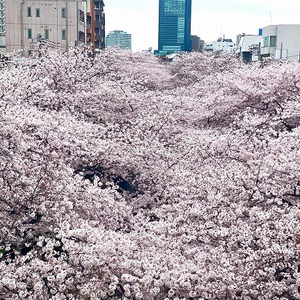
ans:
x=124 y=177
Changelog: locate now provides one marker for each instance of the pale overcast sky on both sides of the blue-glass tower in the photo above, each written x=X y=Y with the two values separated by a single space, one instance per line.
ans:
x=210 y=18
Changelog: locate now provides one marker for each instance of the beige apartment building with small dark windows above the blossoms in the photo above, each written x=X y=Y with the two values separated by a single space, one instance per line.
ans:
x=33 y=24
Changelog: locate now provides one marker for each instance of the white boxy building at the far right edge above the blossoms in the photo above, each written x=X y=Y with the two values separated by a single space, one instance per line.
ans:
x=281 y=41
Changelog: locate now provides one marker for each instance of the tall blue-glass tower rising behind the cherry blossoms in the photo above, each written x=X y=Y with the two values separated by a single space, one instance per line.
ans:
x=174 y=26
